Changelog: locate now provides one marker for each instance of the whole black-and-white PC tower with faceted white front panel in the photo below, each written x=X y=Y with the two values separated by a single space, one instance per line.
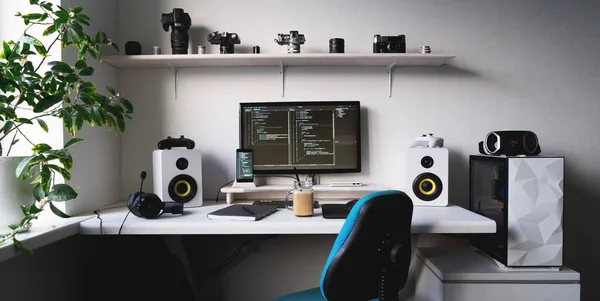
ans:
x=525 y=196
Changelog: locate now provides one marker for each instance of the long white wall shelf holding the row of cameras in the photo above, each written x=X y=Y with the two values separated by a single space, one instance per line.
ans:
x=298 y=59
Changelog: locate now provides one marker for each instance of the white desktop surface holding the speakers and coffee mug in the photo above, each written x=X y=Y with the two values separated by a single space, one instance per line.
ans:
x=451 y=219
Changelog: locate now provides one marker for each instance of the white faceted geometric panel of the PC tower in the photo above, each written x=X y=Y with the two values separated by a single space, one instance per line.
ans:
x=535 y=211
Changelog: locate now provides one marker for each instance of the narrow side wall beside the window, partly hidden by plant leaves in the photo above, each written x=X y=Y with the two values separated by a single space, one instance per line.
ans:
x=97 y=160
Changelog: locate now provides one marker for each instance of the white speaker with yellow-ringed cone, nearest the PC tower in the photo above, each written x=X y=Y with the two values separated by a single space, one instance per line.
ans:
x=427 y=176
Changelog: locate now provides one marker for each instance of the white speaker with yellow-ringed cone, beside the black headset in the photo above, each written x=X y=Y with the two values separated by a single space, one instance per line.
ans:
x=177 y=175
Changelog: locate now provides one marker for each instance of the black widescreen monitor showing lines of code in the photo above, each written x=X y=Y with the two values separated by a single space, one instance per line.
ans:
x=312 y=136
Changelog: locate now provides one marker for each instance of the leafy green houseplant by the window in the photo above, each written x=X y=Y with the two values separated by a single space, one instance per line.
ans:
x=60 y=92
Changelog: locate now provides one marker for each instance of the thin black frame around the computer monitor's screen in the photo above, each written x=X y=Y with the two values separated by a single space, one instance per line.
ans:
x=356 y=103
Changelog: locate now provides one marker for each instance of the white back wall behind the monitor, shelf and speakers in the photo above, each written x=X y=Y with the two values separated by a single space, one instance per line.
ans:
x=519 y=65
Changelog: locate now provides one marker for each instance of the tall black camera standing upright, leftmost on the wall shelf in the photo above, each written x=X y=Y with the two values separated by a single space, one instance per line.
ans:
x=180 y=22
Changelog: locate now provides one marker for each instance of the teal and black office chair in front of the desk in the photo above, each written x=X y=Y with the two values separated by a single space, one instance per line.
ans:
x=371 y=254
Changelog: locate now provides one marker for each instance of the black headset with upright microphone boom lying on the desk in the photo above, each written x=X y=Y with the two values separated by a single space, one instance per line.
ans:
x=149 y=205
